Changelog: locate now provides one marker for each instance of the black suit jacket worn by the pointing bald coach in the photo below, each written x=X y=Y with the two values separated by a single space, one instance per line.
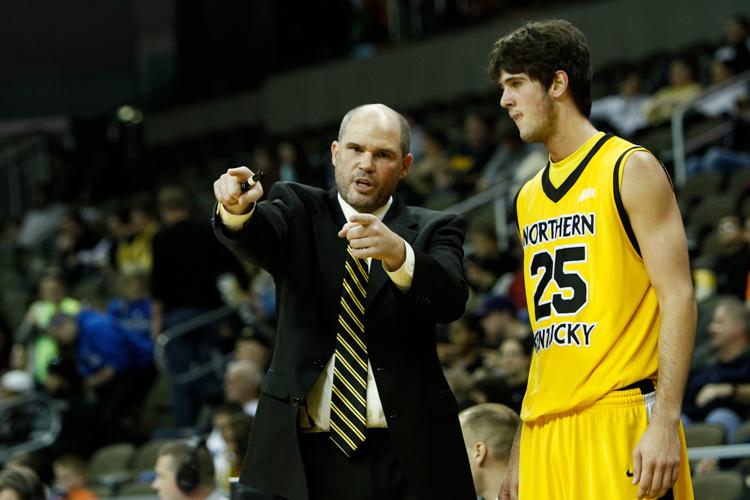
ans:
x=293 y=236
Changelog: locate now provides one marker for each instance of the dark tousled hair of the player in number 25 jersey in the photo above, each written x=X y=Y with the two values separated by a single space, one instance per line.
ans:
x=539 y=49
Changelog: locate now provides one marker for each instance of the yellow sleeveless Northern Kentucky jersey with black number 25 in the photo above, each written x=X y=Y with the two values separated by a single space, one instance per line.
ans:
x=594 y=314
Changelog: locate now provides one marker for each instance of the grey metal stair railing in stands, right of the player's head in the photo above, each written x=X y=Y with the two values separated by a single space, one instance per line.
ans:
x=680 y=148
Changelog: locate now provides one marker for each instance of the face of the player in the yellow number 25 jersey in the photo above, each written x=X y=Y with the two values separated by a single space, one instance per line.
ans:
x=529 y=106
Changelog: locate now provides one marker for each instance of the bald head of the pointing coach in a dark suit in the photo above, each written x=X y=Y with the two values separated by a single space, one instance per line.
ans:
x=367 y=160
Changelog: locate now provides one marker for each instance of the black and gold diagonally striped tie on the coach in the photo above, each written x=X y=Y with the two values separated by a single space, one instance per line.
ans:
x=349 y=397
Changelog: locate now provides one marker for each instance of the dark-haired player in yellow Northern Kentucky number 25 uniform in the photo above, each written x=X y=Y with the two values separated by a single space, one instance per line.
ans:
x=608 y=287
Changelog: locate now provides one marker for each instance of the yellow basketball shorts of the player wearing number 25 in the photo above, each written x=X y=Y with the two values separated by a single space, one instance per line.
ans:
x=587 y=453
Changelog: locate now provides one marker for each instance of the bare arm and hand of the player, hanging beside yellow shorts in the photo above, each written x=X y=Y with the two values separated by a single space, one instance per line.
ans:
x=655 y=218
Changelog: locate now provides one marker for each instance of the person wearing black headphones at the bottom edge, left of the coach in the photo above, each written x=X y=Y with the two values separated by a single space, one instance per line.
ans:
x=185 y=470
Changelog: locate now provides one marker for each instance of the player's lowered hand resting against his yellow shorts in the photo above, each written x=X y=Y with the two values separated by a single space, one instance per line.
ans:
x=656 y=459
